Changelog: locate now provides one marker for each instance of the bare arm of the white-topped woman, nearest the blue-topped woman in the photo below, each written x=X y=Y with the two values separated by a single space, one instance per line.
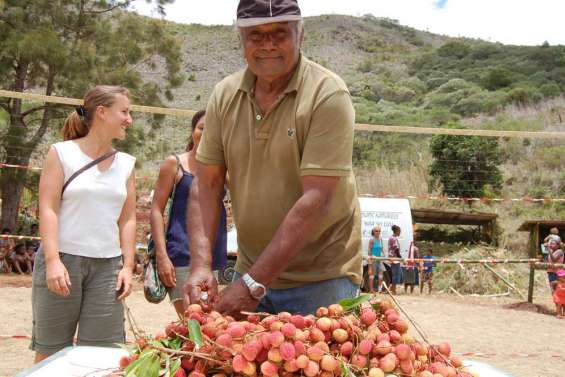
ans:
x=126 y=225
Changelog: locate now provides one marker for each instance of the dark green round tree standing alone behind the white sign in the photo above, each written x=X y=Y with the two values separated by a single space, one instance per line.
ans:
x=465 y=166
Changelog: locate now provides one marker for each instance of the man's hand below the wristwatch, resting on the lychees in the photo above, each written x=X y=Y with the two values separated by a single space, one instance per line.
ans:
x=236 y=298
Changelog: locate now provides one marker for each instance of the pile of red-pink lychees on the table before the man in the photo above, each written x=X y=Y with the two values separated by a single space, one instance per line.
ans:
x=371 y=340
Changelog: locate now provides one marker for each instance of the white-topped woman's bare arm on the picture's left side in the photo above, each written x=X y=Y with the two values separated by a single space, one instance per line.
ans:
x=50 y=186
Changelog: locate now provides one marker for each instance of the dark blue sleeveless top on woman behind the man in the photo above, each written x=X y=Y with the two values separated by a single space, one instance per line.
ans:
x=177 y=237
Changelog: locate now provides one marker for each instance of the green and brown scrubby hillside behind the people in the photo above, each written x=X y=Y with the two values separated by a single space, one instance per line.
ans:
x=398 y=75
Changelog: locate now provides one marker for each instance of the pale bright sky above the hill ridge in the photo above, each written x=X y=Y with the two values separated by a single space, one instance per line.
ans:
x=519 y=22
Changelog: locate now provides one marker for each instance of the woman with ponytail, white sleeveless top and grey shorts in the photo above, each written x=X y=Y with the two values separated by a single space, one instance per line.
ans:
x=87 y=223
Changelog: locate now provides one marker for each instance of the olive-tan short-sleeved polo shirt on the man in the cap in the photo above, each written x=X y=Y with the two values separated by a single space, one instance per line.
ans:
x=308 y=132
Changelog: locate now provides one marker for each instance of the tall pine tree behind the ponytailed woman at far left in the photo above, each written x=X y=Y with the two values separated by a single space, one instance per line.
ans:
x=65 y=47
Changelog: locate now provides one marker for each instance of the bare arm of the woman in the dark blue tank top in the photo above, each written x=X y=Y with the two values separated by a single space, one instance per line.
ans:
x=161 y=192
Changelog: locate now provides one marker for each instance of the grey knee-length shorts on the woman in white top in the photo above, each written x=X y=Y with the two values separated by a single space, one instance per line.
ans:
x=92 y=305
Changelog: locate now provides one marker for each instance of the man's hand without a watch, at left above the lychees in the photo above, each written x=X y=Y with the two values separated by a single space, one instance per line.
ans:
x=200 y=279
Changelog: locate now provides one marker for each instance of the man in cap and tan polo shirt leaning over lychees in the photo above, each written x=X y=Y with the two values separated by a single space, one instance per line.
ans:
x=283 y=130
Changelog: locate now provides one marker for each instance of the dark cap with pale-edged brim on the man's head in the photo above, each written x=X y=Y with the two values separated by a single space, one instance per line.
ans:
x=259 y=12
